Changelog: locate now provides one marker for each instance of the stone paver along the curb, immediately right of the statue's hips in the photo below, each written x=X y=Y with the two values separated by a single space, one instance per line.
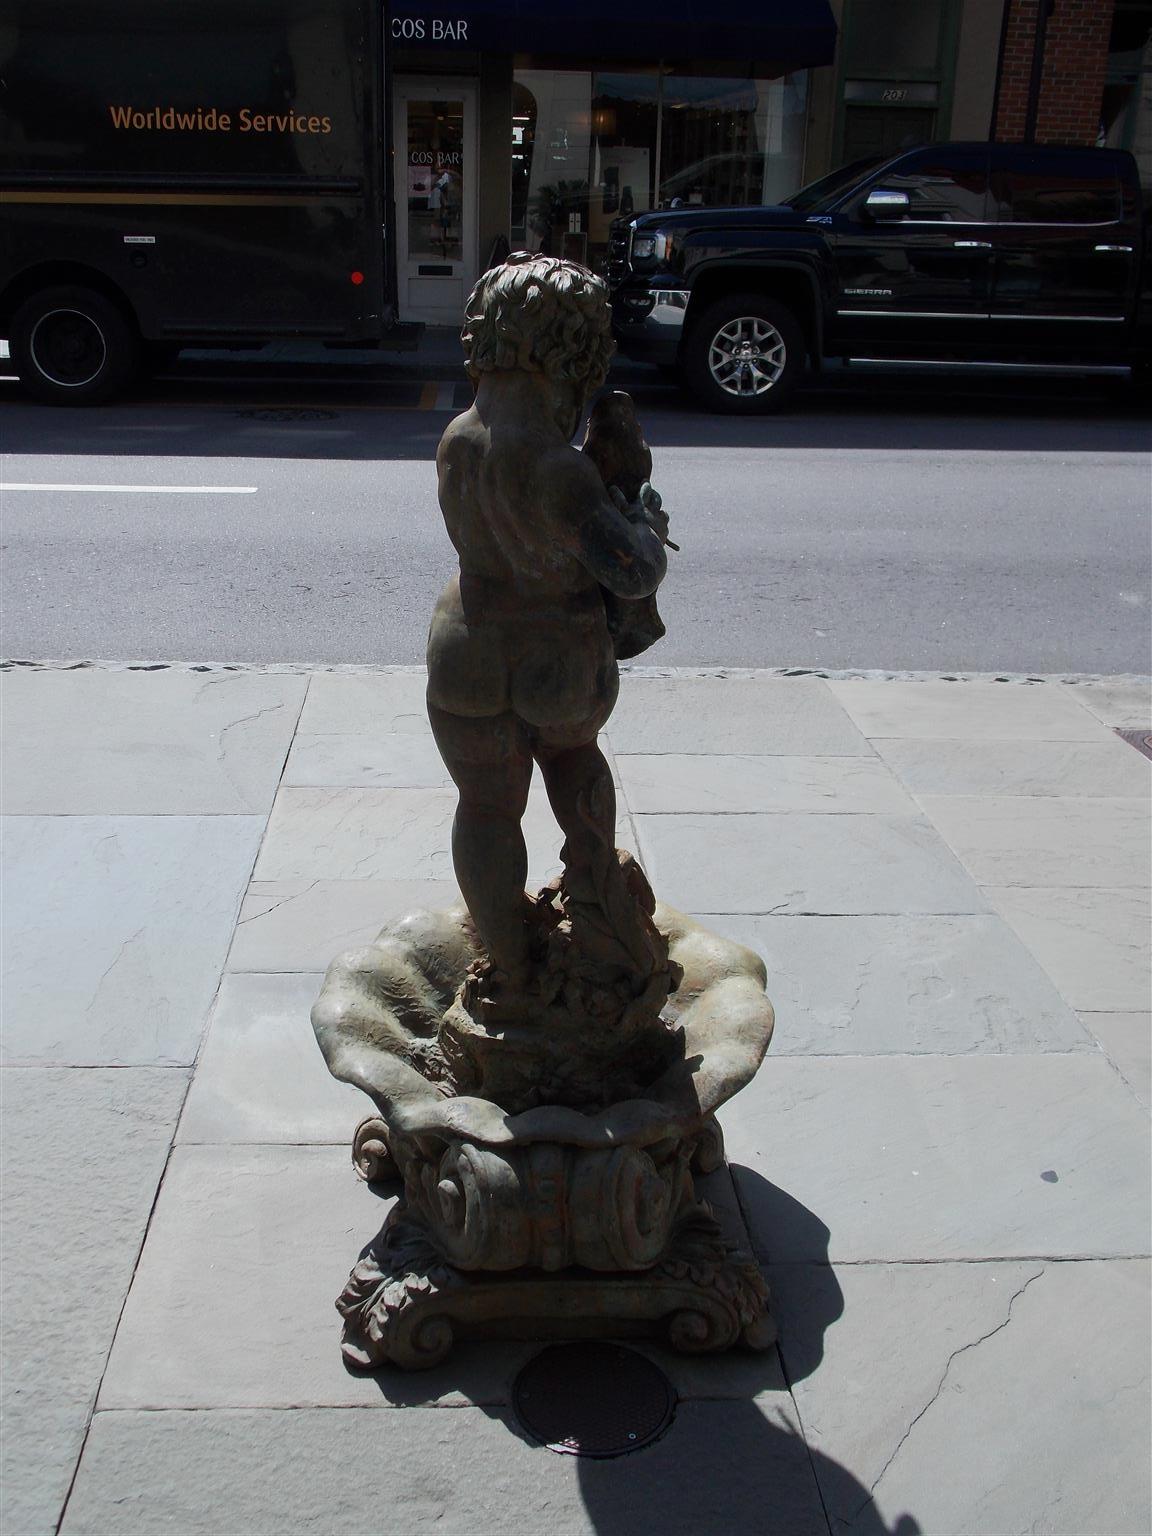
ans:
x=790 y=717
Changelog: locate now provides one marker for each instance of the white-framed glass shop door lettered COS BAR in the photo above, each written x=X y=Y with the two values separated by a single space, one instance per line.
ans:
x=435 y=137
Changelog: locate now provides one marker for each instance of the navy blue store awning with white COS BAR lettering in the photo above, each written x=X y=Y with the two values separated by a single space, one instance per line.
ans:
x=790 y=33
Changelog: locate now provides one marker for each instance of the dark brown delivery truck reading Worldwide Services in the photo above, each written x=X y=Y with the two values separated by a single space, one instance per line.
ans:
x=176 y=174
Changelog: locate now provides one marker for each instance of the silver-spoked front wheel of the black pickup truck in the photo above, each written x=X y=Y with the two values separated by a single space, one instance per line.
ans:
x=744 y=356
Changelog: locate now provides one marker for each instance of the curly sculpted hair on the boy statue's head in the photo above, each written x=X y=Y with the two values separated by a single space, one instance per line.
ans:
x=540 y=314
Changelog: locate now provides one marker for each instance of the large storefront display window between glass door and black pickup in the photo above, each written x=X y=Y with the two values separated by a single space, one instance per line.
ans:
x=592 y=148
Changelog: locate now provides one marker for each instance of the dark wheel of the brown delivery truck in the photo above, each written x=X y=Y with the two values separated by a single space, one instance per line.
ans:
x=71 y=346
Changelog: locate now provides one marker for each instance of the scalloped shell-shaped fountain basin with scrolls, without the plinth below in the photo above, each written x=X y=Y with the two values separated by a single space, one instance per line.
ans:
x=551 y=1187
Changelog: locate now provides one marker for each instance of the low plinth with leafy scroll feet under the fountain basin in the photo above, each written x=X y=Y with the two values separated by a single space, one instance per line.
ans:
x=406 y=1306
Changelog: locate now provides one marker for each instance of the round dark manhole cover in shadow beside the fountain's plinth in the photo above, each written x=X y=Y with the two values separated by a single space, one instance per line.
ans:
x=594 y=1400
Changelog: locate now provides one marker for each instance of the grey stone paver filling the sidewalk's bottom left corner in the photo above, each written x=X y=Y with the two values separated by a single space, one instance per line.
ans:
x=82 y=1159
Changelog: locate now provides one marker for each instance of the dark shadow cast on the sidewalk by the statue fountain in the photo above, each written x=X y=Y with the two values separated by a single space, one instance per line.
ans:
x=735 y=1458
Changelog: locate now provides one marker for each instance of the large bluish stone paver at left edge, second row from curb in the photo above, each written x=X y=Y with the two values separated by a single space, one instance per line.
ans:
x=116 y=930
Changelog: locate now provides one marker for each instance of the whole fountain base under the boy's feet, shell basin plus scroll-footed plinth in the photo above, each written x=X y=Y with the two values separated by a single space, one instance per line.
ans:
x=551 y=1156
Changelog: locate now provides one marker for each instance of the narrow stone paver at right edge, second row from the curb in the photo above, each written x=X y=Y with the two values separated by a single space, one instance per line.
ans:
x=1061 y=769
